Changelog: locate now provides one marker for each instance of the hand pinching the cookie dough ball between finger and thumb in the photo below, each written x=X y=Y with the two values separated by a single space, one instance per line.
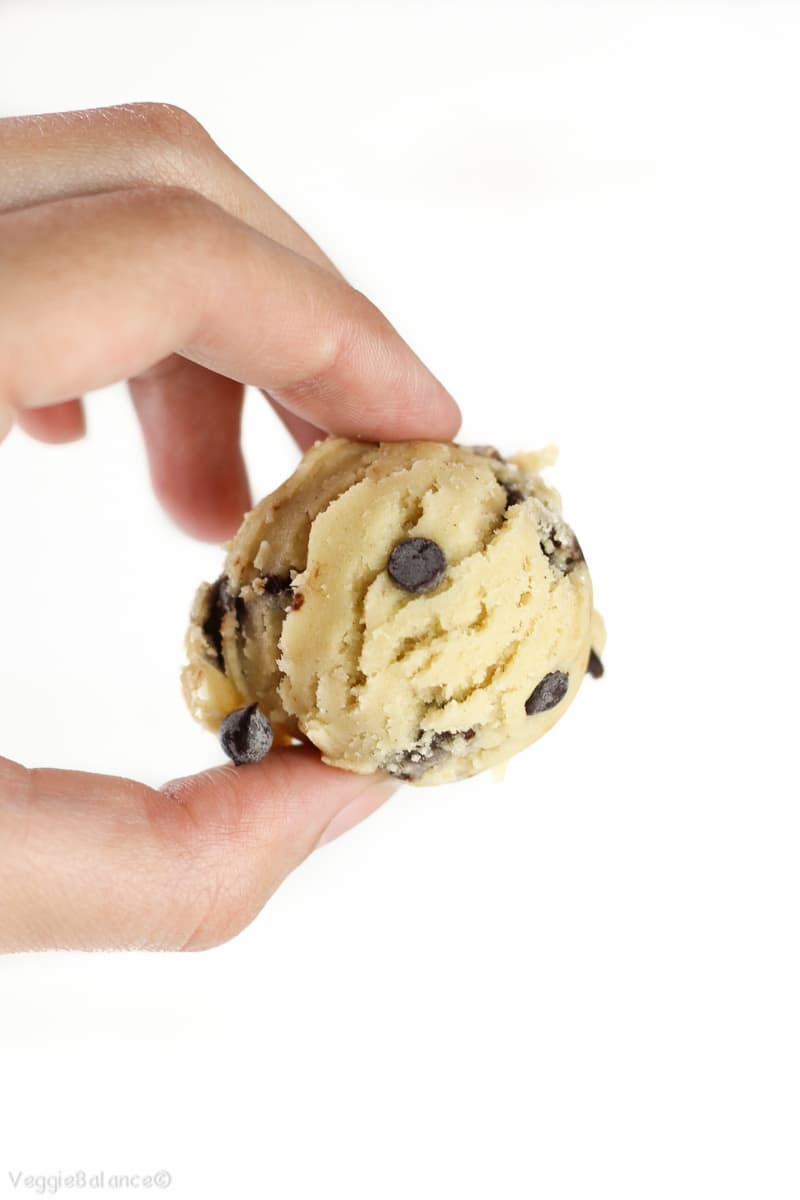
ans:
x=133 y=249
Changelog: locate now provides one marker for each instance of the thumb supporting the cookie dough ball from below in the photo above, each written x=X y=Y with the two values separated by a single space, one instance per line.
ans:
x=92 y=862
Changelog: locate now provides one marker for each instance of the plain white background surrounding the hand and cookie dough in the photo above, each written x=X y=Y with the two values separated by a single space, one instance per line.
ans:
x=582 y=982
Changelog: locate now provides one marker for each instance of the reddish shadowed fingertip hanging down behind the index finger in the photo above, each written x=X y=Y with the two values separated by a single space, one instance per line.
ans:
x=191 y=423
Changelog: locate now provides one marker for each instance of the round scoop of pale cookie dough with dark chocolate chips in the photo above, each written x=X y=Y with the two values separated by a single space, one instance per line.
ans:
x=413 y=608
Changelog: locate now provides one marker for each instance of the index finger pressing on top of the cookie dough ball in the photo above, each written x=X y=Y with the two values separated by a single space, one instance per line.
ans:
x=163 y=272
